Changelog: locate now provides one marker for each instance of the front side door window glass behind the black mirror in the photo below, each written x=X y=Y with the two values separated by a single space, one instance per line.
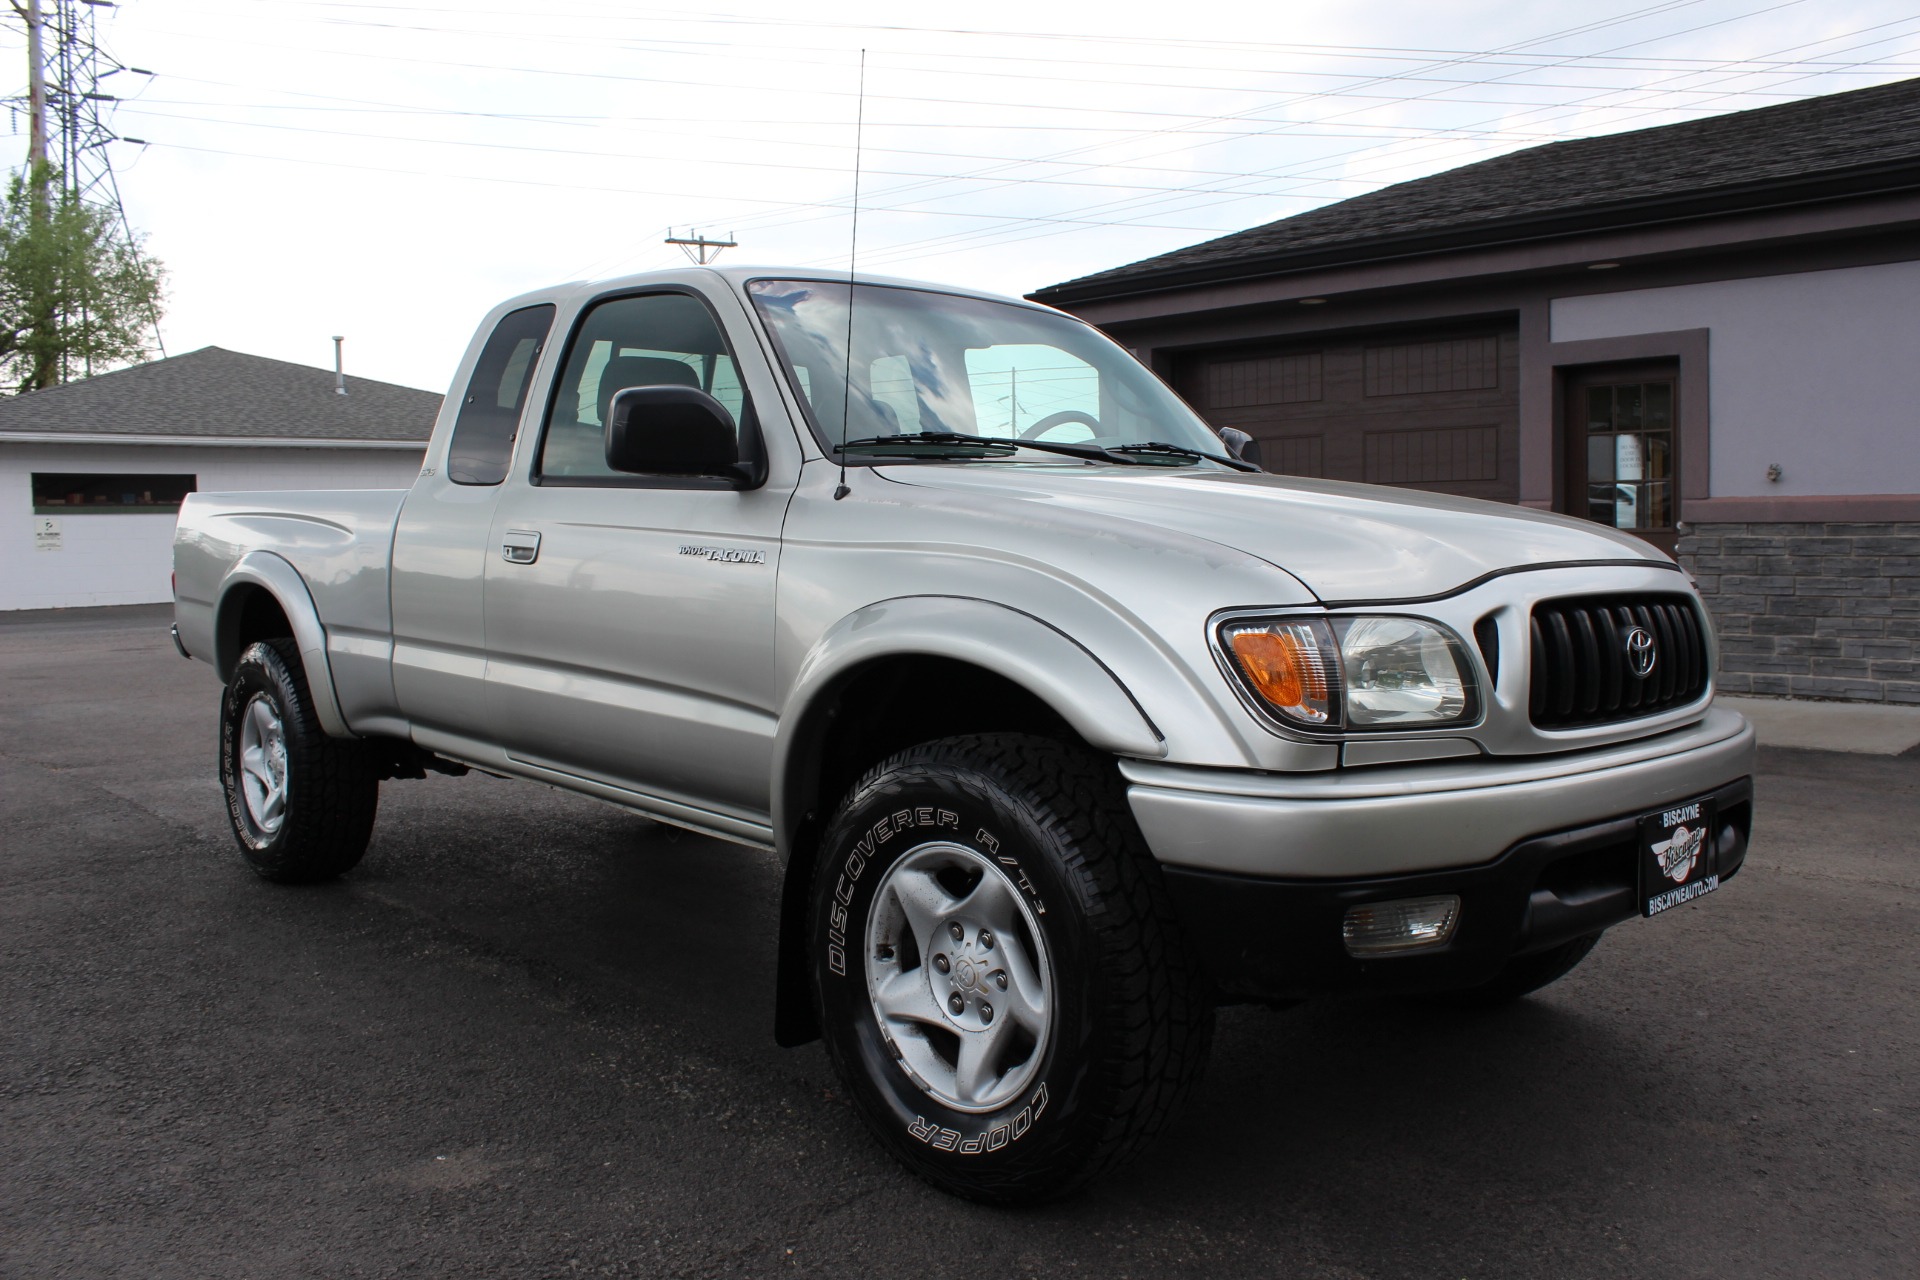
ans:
x=627 y=343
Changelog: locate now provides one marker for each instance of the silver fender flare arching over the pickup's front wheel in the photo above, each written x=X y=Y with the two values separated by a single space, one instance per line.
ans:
x=1028 y=652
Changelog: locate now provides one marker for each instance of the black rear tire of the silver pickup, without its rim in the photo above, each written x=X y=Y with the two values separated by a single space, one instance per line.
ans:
x=331 y=786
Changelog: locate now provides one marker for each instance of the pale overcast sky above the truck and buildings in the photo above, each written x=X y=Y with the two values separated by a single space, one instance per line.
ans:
x=389 y=172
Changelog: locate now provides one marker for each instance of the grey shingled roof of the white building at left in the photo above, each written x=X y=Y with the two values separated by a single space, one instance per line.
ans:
x=224 y=394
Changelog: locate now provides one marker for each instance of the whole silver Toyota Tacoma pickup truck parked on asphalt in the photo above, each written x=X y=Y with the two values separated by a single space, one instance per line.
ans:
x=1067 y=723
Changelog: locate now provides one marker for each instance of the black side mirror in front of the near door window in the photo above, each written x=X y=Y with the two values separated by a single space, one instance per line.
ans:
x=681 y=431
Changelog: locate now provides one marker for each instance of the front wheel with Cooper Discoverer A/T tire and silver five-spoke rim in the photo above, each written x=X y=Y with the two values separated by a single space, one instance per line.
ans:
x=999 y=976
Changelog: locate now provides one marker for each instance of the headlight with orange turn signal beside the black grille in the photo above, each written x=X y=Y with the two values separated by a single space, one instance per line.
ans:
x=1355 y=673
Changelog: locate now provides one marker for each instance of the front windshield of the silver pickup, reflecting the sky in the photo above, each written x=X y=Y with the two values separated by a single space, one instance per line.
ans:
x=928 y=362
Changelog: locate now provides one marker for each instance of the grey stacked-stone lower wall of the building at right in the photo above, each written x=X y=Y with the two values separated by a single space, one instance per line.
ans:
x=1813 y=611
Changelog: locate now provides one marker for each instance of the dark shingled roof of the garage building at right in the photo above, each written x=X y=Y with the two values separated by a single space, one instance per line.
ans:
x=1863 y=141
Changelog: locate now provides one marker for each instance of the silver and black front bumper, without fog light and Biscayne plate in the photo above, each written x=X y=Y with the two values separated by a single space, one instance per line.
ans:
x=1539 y=851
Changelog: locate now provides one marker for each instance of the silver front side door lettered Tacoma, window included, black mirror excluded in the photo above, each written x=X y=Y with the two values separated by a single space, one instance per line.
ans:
x=631 y=619
